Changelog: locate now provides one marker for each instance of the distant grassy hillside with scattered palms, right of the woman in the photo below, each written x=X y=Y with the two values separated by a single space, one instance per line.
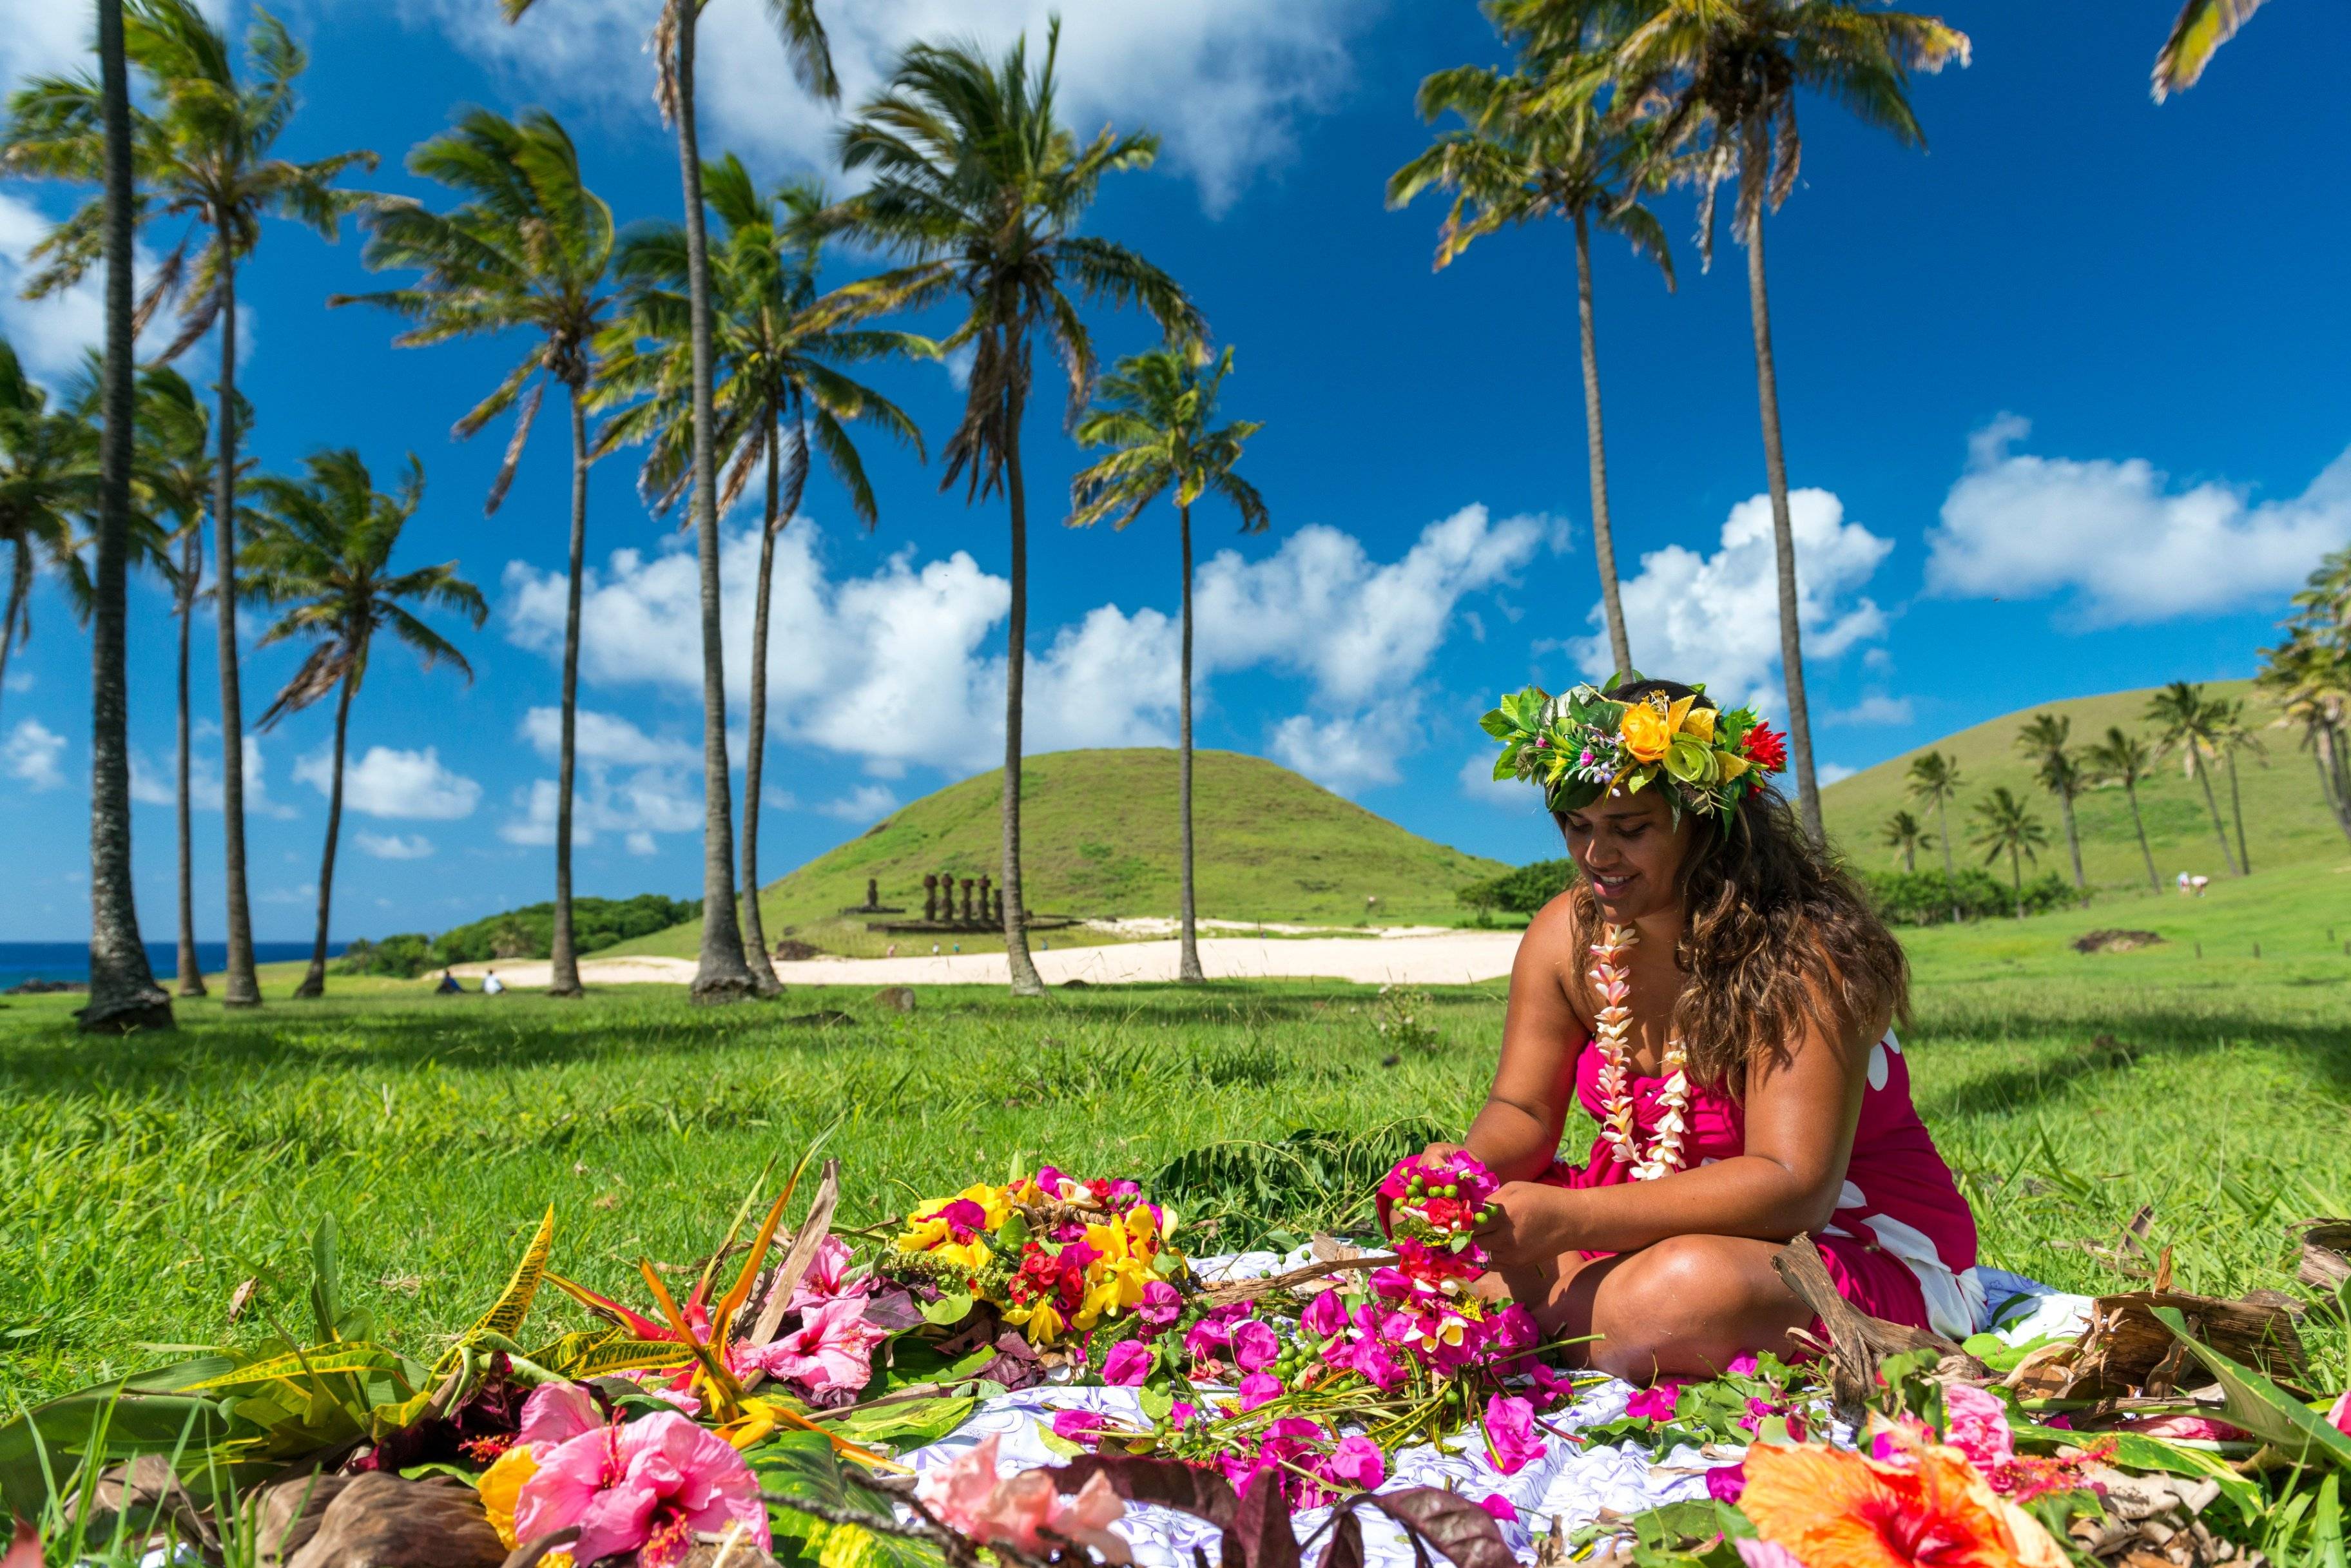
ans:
x=2286 y=817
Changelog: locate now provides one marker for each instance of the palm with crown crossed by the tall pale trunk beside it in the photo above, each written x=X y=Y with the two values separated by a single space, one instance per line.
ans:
x=779 y=394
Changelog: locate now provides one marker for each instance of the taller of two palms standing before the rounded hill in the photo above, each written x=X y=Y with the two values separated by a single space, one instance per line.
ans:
x=982 y=187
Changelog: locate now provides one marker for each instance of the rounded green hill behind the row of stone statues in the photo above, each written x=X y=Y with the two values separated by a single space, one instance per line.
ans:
x=1099 y=840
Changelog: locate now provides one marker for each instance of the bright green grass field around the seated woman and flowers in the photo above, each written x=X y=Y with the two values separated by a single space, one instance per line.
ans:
x=147 y=1179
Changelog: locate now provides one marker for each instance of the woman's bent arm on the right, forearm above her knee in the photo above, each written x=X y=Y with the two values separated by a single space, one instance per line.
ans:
x=1800 y=1134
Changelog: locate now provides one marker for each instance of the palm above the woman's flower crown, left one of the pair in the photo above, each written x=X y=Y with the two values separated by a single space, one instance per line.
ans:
x=1541 y=149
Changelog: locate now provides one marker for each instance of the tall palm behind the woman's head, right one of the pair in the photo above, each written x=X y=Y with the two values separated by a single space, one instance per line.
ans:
x=1722 y=81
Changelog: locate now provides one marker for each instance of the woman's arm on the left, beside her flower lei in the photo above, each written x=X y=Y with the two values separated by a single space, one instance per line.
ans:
x=1518 y=1130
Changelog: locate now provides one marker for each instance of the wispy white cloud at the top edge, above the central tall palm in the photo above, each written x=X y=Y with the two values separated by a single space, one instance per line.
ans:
x=1221 y=81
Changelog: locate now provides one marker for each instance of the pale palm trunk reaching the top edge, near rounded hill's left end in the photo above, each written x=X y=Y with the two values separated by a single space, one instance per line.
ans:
x=721 y=972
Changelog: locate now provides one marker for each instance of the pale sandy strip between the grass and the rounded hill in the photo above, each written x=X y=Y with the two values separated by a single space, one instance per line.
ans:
x=1456 y=958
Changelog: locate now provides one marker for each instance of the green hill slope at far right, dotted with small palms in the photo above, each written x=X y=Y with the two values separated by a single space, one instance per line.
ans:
x=2286 y=822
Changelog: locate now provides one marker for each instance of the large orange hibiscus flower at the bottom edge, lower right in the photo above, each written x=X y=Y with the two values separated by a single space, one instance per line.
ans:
x=1931 y=1510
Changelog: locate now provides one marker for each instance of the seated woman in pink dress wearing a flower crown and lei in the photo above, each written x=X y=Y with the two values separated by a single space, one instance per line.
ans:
x=1720 y=998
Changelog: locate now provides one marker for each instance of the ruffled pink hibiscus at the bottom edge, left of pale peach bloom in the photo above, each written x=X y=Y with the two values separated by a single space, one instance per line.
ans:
x=648 y=1487
